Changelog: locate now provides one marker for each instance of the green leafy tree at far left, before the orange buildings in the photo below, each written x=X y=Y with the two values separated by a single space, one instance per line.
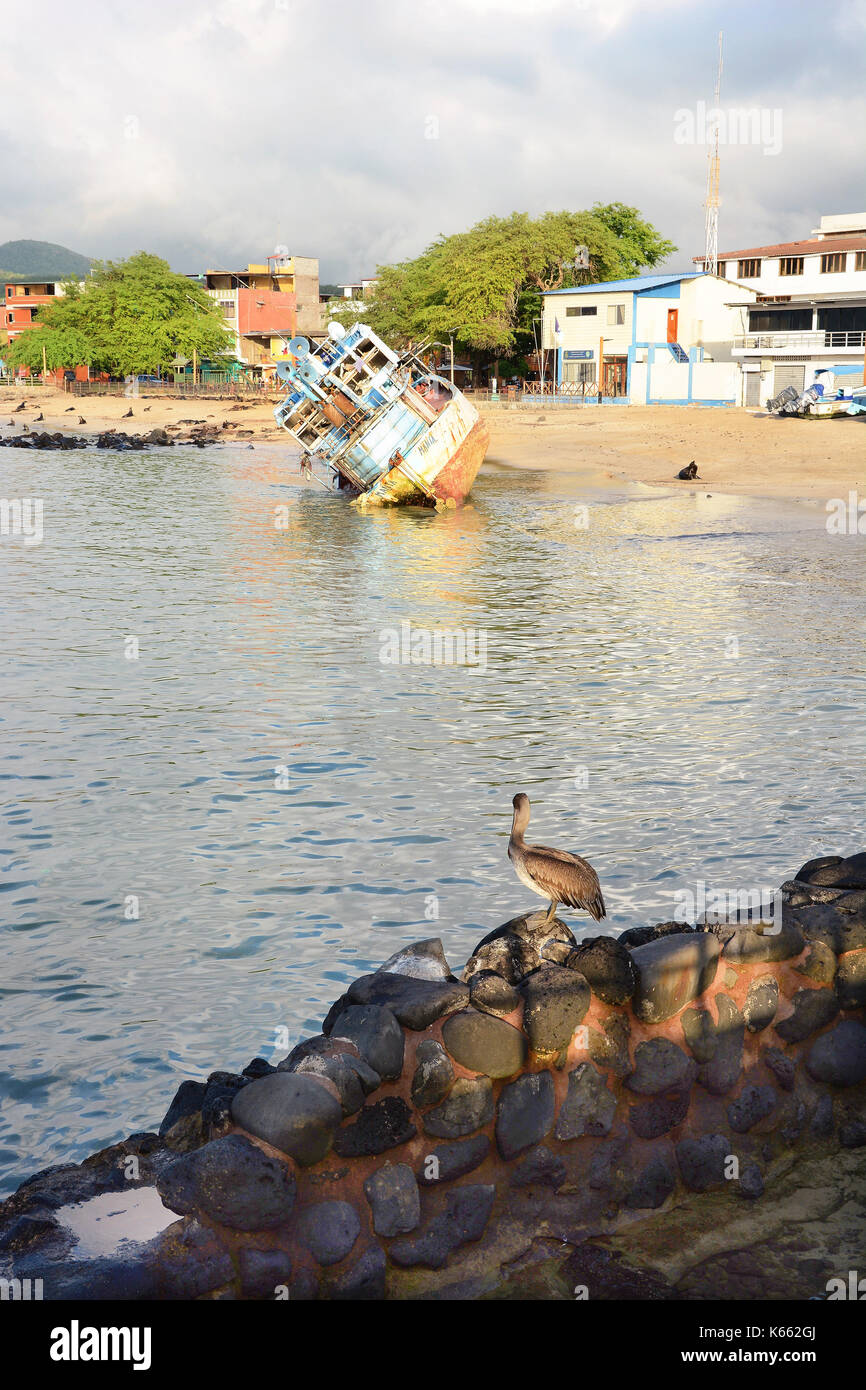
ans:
x=133 y=316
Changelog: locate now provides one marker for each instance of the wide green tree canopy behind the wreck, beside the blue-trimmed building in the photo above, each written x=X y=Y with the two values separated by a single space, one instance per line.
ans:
x=484 y=286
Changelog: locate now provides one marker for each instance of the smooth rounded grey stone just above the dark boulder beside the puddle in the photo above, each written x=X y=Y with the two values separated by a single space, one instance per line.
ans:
x=295 y=1114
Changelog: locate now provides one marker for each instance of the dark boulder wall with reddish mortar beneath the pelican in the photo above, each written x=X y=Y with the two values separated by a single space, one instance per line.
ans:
x=618 y=1118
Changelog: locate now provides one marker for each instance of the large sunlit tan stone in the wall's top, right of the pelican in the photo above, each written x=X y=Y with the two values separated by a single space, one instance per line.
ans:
x=673 y=971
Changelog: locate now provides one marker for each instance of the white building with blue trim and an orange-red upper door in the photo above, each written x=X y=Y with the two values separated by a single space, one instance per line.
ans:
x=651 y=340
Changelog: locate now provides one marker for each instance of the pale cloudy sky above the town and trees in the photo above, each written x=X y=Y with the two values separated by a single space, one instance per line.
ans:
x=361 y=130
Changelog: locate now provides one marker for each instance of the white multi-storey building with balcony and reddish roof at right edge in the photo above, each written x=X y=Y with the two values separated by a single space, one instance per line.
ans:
x=811 y=312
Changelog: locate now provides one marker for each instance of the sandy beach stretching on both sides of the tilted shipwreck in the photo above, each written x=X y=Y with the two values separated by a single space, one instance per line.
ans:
x=737 y=451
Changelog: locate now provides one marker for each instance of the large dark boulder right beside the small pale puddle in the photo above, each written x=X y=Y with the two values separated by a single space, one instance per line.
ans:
x=233 y=1182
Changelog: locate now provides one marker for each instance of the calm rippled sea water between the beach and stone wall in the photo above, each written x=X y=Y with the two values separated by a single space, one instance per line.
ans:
x=678 y=686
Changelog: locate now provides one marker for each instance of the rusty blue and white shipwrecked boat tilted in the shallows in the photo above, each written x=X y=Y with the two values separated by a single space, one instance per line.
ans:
x=379 y=426
